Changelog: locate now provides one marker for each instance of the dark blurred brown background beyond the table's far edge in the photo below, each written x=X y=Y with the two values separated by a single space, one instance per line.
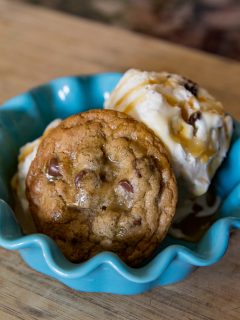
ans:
x=208 y=25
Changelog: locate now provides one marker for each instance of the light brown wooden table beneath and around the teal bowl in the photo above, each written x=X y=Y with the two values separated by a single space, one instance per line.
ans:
x=37 y=45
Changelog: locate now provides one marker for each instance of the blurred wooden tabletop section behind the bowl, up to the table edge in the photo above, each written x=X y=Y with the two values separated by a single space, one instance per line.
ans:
x=37 y=45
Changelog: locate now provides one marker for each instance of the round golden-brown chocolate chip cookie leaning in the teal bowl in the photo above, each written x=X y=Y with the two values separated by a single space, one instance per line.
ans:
x=101 y=181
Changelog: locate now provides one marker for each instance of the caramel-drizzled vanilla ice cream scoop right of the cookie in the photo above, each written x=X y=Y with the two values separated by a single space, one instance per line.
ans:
x=191 y=123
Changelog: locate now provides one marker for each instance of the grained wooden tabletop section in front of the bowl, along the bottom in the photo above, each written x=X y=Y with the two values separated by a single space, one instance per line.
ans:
x=210 y=293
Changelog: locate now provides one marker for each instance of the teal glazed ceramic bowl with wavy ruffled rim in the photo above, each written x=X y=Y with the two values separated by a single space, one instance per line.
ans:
x=23 y=119
